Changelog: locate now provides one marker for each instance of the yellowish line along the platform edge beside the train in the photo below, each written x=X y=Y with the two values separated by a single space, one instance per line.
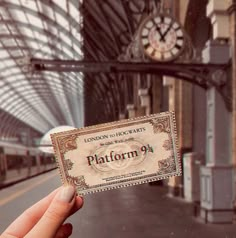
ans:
x=22 y=191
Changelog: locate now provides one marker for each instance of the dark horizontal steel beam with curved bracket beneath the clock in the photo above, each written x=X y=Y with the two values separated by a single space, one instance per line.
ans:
x=203 y=75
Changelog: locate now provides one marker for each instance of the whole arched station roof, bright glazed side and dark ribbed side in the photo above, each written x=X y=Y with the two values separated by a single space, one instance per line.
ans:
x=89 y=30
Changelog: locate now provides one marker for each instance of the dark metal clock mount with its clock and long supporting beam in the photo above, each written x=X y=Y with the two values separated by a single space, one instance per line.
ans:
x=161 y=46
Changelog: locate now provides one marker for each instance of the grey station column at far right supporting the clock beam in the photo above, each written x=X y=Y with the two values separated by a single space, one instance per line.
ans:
x=216 y=176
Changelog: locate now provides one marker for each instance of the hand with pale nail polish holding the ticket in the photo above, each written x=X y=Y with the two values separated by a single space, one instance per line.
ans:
x=45 y=218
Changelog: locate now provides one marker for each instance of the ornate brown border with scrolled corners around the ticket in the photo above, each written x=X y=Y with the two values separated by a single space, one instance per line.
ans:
x=66 y=141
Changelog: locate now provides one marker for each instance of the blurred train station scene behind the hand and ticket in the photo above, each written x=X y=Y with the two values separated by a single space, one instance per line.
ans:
x=74 y=63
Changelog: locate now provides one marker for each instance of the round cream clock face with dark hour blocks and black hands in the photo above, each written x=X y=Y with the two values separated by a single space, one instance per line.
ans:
x=162 y=38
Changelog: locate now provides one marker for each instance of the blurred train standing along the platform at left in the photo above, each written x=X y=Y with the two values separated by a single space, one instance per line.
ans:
x=19 y=162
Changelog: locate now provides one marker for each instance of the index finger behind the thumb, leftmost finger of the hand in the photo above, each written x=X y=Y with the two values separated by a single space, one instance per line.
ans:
x=24 y=223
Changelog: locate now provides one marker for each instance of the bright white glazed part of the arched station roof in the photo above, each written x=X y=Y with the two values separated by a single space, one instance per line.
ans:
x=40 y=31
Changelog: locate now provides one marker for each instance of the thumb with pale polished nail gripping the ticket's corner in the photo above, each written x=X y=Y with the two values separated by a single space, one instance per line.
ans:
x=56 y=214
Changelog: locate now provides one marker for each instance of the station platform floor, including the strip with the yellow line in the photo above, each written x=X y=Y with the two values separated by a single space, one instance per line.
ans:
x=141 y=211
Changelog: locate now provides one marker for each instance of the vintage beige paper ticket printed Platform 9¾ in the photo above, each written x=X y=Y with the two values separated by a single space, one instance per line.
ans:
x=118 y=154
